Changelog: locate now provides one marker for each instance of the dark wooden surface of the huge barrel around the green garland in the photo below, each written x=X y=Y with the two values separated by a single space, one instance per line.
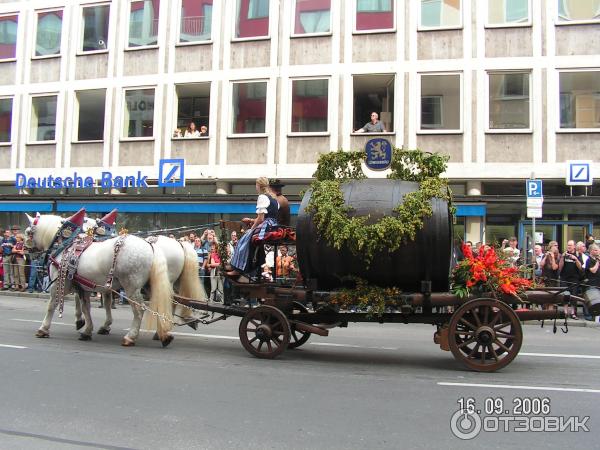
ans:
x=427 y=258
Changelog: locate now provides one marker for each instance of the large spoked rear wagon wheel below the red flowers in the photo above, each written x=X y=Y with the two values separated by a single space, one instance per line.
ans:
x=485 y=334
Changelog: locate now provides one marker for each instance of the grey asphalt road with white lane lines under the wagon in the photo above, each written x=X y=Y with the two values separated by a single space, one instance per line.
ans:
x=365 y=387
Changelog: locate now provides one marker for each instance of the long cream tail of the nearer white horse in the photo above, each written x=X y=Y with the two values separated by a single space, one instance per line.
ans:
x=161 y=293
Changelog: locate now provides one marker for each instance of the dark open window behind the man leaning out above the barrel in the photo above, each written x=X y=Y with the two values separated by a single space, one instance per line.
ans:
x=373 y=93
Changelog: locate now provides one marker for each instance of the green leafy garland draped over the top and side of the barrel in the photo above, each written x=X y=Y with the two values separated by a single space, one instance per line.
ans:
x=330 y=214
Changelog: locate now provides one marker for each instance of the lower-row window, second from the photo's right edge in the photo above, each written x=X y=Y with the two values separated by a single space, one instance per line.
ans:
x=509 y=101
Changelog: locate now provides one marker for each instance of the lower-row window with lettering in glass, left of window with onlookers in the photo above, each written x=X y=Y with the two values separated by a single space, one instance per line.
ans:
x=139 y=113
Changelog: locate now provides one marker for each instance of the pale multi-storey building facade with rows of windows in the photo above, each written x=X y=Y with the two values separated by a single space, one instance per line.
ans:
x=506 y=88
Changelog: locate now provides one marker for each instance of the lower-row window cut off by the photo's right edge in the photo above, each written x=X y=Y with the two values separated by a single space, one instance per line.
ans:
x=580 y=99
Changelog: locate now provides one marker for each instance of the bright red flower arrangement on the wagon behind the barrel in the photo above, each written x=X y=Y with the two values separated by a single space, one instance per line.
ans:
x=486 y=272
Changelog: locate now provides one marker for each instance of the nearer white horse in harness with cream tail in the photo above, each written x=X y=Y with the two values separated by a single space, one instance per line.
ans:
x=137 y=265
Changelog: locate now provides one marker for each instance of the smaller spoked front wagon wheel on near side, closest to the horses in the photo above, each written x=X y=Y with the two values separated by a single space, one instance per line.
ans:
x=265 y=332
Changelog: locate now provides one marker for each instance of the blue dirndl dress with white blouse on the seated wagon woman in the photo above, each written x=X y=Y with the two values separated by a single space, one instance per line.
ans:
x=243 y=257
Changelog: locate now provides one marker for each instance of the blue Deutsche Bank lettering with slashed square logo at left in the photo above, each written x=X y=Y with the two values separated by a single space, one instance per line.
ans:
x=171 y=174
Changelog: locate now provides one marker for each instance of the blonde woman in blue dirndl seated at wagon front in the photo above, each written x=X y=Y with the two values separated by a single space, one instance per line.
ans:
x=243 y=260
